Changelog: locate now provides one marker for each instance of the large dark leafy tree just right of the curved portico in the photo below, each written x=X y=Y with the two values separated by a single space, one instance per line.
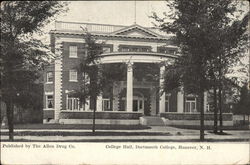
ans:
x=201 y=28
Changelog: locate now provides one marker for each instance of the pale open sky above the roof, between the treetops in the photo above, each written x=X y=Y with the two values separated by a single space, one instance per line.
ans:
x=108 y=12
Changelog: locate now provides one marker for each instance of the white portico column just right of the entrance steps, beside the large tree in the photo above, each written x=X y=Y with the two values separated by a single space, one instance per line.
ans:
x=162 y=93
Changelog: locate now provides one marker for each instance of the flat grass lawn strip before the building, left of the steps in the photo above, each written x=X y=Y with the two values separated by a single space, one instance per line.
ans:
x=78 y=126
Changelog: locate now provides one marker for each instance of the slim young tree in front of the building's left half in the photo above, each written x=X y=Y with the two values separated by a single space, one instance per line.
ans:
x=91 y=80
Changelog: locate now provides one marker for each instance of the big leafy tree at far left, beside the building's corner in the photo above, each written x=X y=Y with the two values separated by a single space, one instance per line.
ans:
x=22 y=56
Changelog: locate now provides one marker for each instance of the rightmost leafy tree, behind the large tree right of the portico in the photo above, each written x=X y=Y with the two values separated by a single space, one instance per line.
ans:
x=231 y=42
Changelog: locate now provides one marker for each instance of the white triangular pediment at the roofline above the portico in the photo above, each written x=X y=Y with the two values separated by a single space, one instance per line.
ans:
x=135 y=30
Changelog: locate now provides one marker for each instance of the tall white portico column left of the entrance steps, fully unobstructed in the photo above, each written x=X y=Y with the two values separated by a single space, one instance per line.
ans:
x=129 y=87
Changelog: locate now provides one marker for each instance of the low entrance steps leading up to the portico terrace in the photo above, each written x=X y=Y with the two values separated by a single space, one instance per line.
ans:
x=151 y=121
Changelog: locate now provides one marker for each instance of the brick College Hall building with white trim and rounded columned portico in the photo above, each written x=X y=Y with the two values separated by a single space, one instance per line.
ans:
x=133 y=99
